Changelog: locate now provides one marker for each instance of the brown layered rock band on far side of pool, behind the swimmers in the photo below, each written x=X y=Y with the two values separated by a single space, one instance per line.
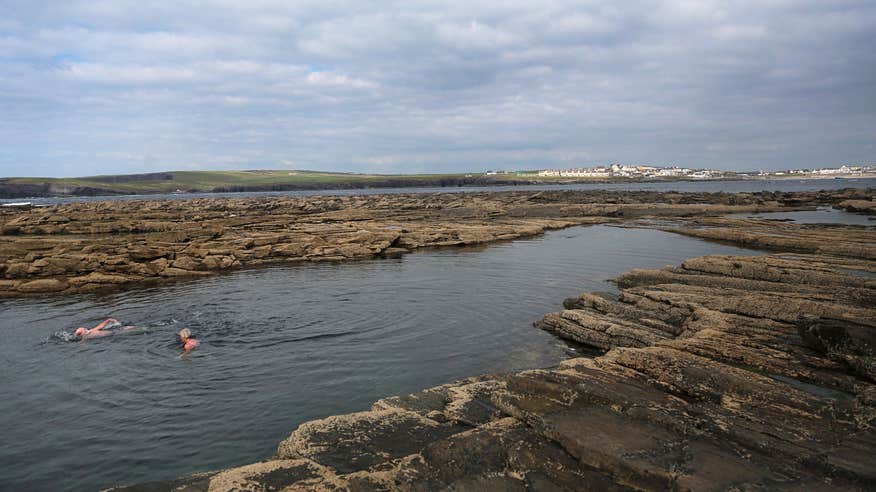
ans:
x=99 y=245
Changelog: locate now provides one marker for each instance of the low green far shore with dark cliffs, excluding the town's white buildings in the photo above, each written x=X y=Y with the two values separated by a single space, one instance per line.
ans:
x=238 y=182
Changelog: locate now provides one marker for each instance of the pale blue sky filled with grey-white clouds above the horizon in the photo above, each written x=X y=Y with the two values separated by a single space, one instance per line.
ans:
x=108 y=87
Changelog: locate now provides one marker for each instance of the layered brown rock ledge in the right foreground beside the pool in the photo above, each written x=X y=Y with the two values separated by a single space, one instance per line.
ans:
x=723 y=373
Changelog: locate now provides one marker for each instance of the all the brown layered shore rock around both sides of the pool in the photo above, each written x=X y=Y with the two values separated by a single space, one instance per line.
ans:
x=722 y=373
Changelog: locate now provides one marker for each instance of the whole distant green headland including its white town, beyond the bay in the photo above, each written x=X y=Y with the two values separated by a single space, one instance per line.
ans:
x=290 y=180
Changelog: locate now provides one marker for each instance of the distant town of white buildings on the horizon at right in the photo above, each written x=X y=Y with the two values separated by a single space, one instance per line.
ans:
x=646 y=171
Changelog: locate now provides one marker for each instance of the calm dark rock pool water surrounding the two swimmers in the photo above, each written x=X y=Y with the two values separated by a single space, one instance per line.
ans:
x=281 y=346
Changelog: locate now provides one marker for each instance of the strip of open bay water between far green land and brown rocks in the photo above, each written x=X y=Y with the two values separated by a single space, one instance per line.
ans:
x=741 y=186
